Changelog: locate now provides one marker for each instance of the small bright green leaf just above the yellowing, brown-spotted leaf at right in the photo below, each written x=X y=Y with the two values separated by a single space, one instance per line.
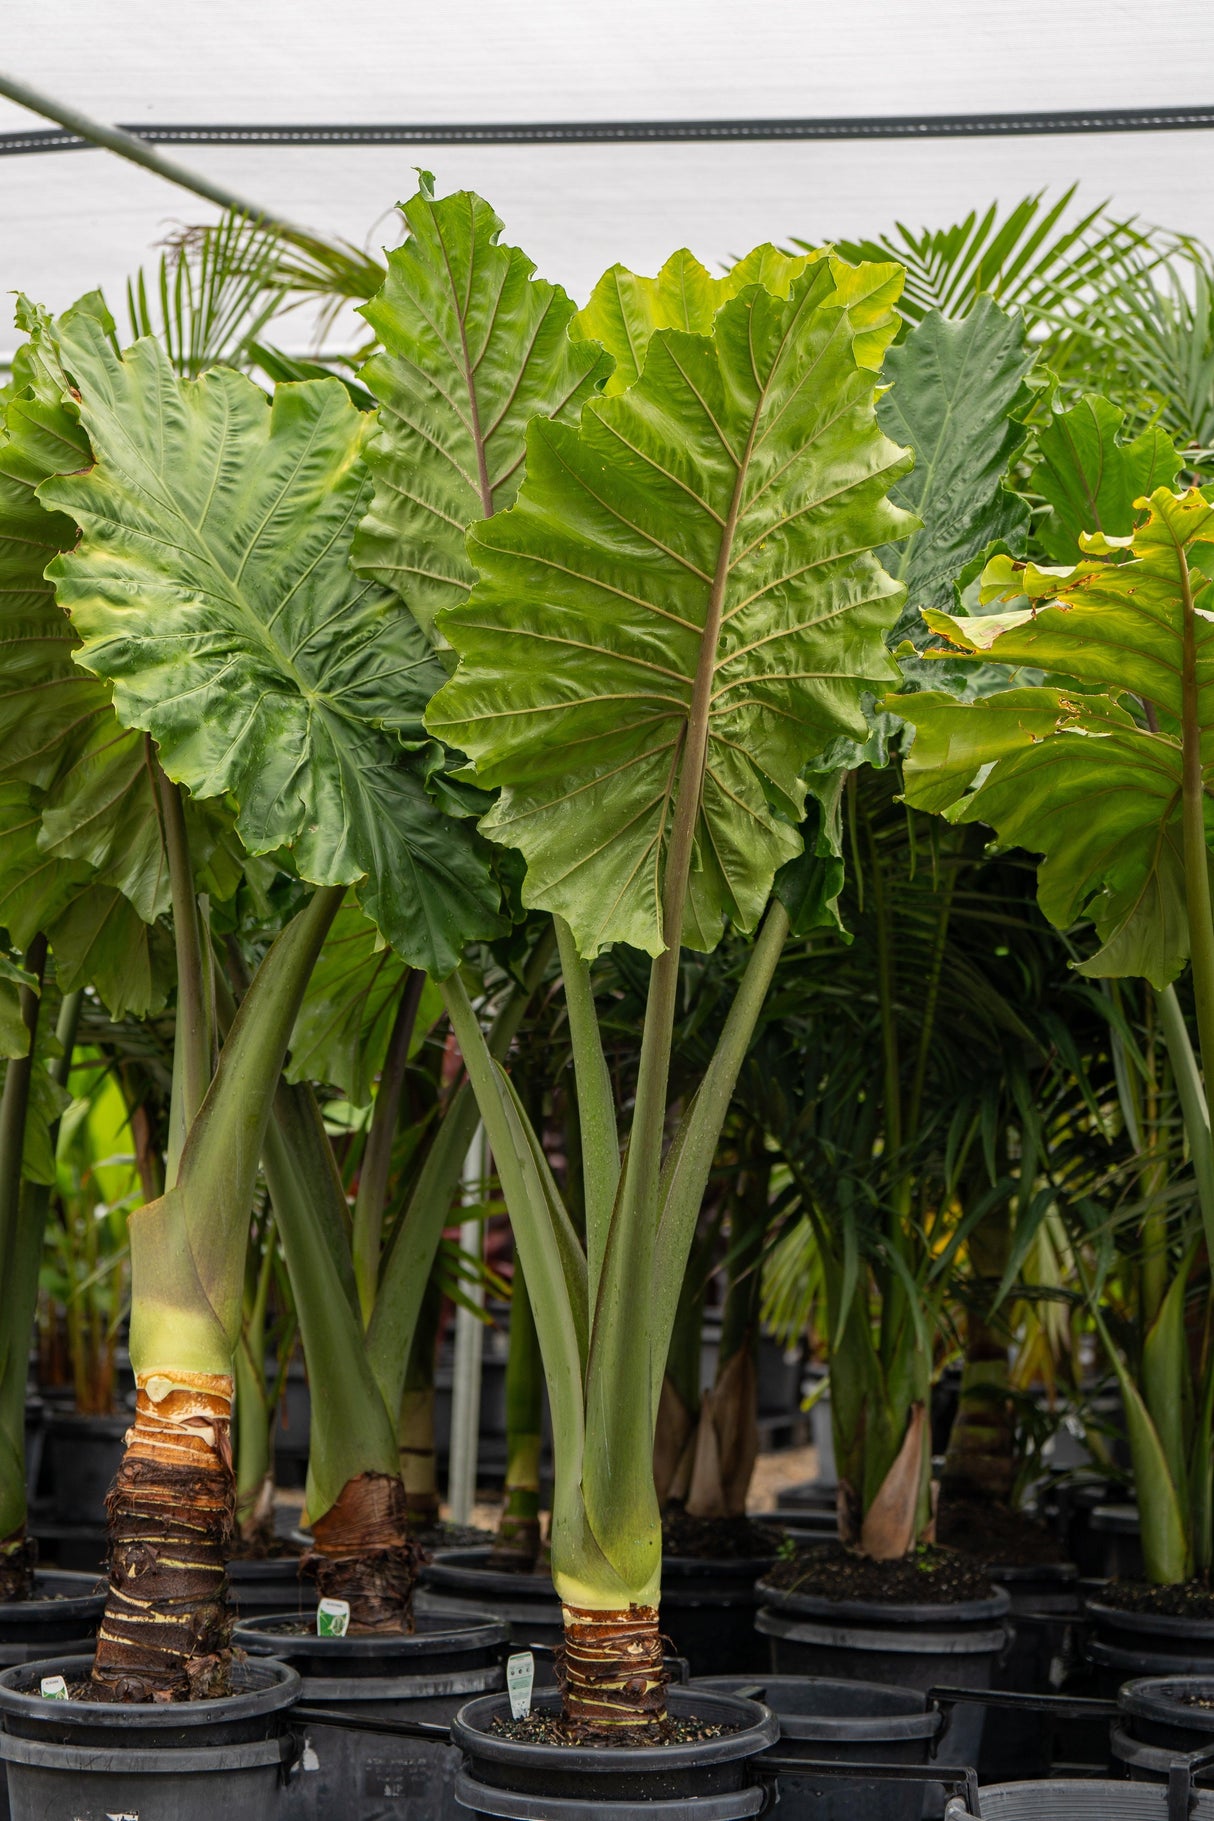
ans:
x=1091 y=476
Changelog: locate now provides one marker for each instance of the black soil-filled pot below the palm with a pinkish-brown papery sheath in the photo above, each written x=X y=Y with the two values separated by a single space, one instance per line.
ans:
x=911 y=1645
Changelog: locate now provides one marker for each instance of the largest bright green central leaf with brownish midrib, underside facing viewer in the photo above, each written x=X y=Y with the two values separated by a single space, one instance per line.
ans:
x=693 y=564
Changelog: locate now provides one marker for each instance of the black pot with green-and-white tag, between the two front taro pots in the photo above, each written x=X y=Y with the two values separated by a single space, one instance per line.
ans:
x=421 y=1676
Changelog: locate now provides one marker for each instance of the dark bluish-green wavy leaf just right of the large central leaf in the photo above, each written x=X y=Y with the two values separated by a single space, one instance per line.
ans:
x=956 y=389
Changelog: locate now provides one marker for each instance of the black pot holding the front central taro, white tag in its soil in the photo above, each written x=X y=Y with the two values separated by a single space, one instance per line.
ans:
x=713 y=1780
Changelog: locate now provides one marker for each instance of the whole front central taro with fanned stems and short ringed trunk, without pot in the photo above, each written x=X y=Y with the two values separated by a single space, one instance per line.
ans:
x=678 y=615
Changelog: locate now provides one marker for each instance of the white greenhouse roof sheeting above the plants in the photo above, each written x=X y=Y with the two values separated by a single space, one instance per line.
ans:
x=76 y=219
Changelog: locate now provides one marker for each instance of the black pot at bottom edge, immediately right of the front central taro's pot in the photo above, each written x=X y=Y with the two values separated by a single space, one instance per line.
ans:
x=833 y=1722
